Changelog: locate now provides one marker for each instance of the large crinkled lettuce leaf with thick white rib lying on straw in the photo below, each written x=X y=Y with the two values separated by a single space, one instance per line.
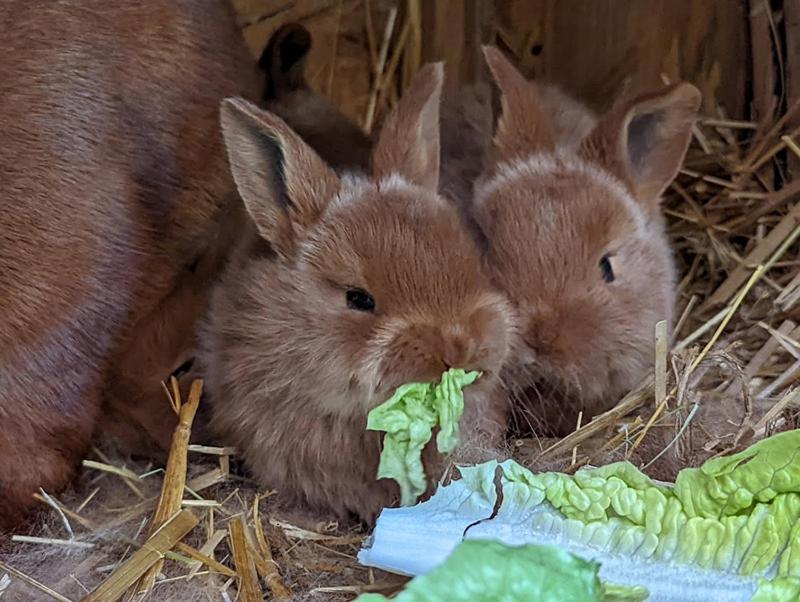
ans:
x=727 y=531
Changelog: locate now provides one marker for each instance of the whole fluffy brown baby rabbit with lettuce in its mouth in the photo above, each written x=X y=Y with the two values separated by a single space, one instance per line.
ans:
x=348 y=287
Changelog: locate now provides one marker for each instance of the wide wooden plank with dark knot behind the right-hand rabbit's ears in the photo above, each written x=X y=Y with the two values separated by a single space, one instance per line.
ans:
x=591 y=48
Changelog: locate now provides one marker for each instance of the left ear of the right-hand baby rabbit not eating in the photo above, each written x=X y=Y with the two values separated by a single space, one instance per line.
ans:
x=523 y=127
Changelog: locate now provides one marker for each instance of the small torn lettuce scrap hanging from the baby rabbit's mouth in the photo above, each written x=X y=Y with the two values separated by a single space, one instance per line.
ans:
x=408 y=418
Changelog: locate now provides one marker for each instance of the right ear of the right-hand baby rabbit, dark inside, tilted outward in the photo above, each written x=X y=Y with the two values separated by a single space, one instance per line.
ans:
x=643 y=141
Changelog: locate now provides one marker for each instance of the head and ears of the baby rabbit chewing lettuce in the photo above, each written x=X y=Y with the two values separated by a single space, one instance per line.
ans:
x=374 y=280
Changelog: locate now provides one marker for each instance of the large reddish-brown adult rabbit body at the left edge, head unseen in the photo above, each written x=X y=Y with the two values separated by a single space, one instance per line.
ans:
x=112 y=180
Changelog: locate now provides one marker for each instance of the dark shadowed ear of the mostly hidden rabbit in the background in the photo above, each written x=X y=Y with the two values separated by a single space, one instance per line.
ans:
x=284 y=60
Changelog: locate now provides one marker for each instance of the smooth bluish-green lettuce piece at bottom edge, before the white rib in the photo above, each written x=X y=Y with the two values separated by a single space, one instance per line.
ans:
x=479 y=571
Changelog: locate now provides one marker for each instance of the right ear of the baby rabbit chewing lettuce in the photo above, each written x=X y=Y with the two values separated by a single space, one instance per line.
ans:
x=408 y=143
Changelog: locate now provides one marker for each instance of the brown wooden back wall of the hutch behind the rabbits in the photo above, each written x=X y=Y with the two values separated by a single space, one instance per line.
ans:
x=591 y=47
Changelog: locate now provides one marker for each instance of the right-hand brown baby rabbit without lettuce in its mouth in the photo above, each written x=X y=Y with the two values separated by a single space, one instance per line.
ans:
x=576 y=239
